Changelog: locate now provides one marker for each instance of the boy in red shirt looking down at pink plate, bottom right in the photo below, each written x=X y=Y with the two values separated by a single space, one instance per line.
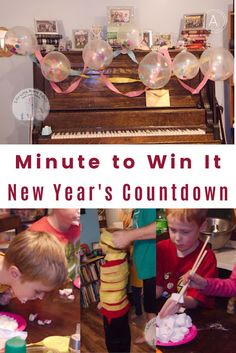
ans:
x=176 y=256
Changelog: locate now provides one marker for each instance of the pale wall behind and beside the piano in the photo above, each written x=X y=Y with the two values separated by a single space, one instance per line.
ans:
x=16 y=72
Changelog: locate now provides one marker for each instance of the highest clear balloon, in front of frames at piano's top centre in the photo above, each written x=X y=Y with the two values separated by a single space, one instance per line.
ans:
x=129 y=36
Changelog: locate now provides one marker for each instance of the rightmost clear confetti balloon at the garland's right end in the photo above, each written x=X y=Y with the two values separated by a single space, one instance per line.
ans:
x=217 y=63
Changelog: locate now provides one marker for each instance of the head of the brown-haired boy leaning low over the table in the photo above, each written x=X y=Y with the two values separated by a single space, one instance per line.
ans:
x=33 y=265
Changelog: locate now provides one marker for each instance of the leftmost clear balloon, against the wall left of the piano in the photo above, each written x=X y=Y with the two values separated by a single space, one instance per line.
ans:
x=20 y=40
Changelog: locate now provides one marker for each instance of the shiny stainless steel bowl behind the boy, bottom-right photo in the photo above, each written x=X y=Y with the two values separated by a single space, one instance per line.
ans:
x=220 y=231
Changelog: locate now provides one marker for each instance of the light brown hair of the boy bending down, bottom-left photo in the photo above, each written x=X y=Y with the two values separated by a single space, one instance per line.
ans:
x=39 y=256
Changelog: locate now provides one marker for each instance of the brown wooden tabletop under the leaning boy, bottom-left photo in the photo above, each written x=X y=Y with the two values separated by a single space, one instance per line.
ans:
x=64 y=313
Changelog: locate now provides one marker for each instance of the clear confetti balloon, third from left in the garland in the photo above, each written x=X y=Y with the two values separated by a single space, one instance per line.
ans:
x=97 y=54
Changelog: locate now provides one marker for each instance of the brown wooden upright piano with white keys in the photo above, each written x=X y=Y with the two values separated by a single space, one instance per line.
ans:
x=93 y=114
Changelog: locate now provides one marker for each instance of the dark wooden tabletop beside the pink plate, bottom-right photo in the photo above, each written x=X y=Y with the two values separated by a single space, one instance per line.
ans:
x=210 y=339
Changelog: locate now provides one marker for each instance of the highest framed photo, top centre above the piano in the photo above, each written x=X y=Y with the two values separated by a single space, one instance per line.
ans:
x=120 y=15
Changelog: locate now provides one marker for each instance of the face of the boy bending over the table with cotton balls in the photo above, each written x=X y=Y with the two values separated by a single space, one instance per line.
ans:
x=28 y=290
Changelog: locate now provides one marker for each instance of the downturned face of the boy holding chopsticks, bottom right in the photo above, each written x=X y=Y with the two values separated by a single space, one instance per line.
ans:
x=183 y=234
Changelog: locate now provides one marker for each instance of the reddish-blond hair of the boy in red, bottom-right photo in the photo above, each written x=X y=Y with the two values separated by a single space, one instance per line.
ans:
x=188 y=214
